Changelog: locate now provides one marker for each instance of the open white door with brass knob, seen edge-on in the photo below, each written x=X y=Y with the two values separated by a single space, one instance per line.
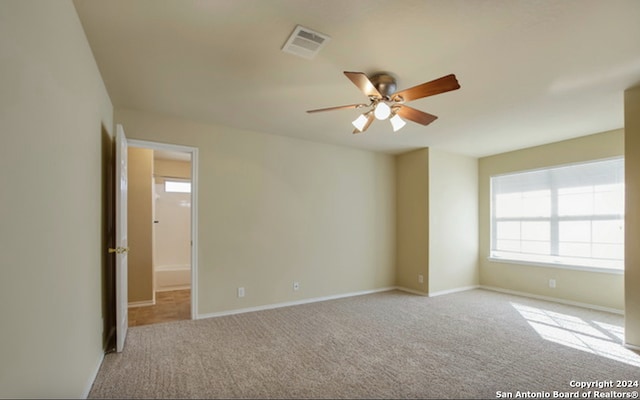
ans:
x=121 y=250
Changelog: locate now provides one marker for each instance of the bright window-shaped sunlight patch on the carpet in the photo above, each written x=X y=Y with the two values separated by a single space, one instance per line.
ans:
x=591 y=336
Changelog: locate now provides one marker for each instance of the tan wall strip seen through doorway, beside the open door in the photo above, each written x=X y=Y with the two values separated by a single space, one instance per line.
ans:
x=140 y=225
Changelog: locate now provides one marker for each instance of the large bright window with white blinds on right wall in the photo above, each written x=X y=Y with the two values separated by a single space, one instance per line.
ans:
x=568 y=216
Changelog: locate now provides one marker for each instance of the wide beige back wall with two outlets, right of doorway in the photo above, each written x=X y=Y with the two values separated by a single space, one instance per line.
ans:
x=274 y=210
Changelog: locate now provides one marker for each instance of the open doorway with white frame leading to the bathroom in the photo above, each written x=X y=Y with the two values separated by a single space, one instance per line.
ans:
x=162 y=216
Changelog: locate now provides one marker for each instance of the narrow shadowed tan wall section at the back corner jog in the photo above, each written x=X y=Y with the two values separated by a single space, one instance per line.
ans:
x=412 y=220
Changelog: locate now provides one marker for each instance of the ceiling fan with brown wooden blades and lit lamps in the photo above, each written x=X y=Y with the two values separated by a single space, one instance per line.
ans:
x=385 y=102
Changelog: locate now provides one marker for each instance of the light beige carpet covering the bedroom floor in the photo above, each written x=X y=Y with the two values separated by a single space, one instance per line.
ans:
x=473 y=344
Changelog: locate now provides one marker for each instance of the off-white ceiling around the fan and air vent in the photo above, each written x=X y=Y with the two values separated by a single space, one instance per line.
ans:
x=531 y=72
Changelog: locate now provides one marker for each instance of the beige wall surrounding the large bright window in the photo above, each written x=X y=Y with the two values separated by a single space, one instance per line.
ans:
x=599 y=289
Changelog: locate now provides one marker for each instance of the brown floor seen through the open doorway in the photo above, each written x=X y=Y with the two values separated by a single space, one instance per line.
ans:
x=173 y=305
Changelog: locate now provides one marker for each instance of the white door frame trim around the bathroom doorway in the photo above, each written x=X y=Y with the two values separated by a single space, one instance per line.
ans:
x=193 y=151
